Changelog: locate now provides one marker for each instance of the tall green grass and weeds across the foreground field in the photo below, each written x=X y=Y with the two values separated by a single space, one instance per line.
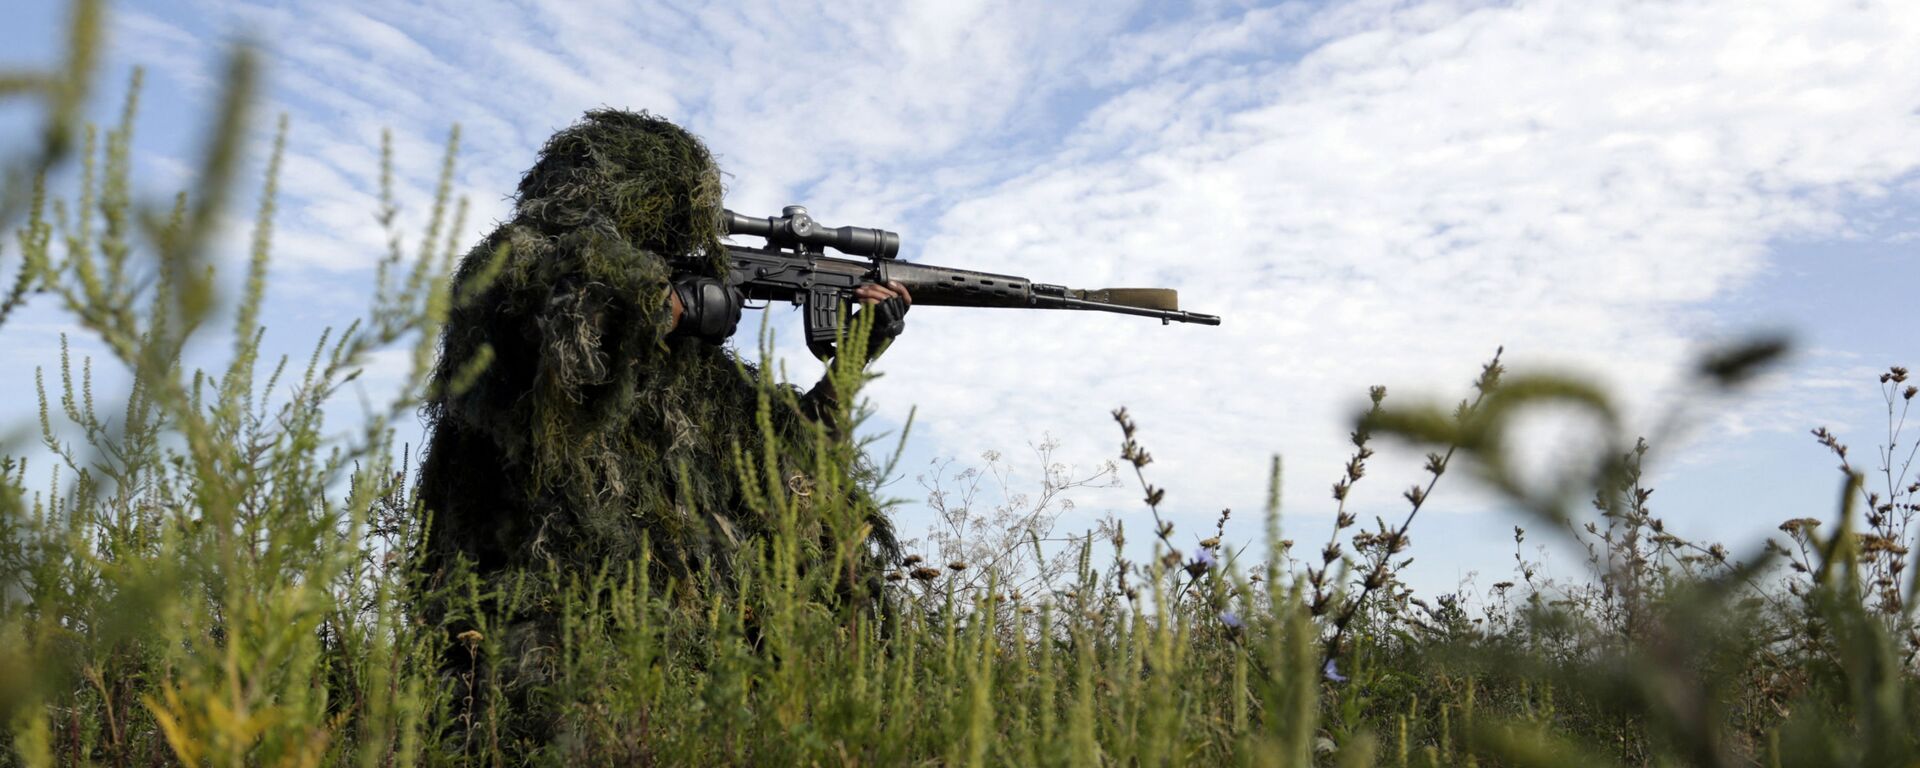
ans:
x=206 y=579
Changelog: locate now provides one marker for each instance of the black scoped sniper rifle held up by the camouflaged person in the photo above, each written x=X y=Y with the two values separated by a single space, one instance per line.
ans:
x=794 y=268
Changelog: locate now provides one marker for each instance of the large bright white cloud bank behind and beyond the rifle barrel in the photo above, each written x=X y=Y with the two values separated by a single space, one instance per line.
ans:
x=1575 y=181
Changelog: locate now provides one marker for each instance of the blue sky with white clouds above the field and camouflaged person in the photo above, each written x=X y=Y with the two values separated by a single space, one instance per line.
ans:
x=1370 y=193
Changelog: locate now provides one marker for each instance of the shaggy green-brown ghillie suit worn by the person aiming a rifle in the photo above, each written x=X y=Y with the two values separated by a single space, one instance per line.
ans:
x=567 y=423
